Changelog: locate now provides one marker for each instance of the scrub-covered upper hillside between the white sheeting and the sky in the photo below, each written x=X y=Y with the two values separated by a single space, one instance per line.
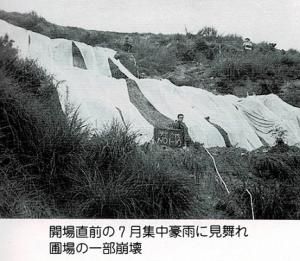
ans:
x=206 y=60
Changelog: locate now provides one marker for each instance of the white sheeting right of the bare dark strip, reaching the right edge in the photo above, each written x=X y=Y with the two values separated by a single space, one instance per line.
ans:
x=245 y=120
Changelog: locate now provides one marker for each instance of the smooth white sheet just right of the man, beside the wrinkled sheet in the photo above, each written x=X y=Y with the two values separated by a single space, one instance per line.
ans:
x=196 y=104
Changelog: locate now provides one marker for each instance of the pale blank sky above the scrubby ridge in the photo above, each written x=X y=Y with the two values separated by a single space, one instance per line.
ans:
x=260 y=20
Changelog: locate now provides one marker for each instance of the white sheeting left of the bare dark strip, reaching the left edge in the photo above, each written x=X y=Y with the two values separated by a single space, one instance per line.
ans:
x=99 y=96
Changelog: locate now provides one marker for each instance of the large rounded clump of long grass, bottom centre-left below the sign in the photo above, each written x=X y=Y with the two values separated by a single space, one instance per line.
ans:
x=125 y=182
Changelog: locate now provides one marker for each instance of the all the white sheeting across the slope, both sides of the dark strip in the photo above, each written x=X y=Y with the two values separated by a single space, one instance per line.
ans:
x=247 y=121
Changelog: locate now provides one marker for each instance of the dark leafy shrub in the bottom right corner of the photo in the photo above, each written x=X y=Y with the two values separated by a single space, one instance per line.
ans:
x=271 y=200
